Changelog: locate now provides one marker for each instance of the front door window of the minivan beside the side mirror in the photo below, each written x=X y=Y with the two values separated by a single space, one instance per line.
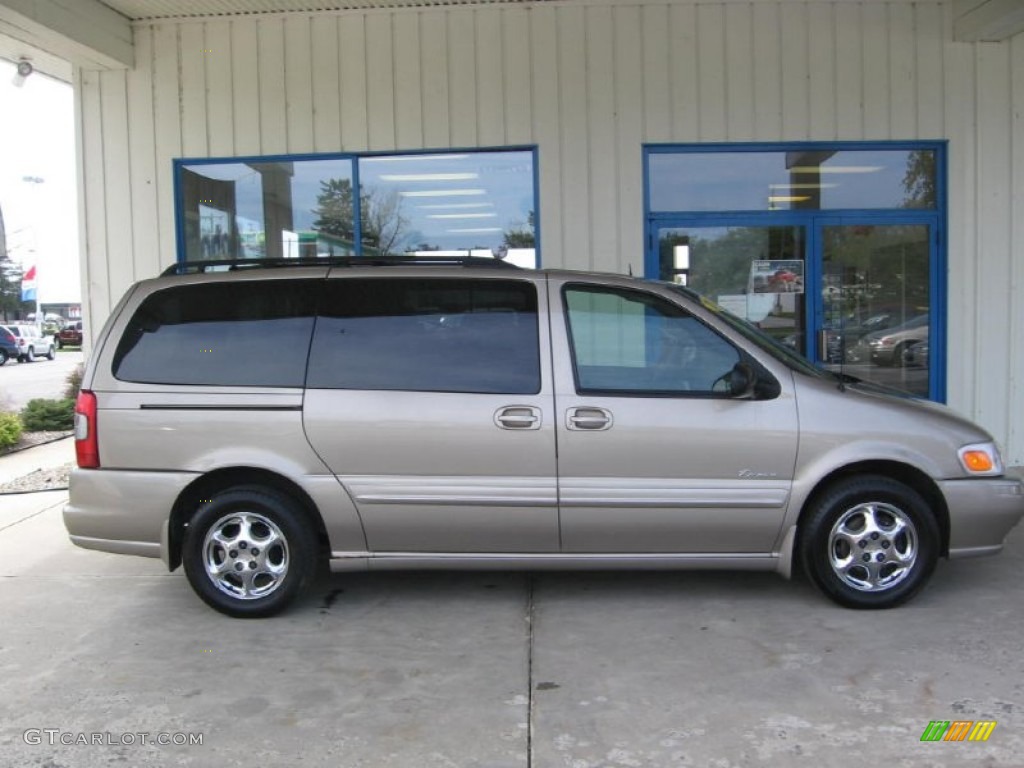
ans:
x=629 y=343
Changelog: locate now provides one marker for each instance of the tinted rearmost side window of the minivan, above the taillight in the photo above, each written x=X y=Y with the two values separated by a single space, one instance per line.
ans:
x=247 y=333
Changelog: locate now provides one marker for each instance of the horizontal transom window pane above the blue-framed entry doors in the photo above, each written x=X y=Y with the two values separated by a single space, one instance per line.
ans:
x=798 y=180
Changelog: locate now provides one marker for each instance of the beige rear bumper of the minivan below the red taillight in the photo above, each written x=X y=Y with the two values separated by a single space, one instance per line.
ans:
x=124 y=513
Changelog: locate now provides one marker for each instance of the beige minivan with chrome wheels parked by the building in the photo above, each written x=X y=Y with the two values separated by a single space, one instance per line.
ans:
x=251 y=423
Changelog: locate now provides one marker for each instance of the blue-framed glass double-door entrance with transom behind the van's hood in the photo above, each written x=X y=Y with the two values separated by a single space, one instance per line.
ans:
x=871 y=221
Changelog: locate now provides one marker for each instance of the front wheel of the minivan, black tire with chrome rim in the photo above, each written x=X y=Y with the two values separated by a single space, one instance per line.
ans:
x=875 y=518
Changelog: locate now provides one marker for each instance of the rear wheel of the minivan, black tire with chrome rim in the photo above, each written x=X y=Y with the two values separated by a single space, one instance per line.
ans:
x=240 y=519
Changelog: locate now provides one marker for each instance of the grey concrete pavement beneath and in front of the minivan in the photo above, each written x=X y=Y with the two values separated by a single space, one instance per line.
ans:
x=102 y=655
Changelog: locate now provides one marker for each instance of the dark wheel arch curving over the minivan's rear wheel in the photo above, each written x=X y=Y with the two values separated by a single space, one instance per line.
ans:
x=221 y=480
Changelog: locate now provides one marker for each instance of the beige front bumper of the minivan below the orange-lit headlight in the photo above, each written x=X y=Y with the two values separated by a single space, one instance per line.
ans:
x=983 y=513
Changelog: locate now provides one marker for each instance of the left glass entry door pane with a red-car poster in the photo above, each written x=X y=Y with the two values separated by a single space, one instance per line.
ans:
x=756 y=273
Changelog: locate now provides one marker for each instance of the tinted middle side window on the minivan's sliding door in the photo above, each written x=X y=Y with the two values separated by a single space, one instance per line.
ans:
x=429 y=336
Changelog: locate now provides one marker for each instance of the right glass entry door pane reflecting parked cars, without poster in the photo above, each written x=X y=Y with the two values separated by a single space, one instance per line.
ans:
x=875 y=319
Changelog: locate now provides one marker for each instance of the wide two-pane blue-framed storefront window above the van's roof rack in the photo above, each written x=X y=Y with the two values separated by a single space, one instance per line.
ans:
x=480 y=204
